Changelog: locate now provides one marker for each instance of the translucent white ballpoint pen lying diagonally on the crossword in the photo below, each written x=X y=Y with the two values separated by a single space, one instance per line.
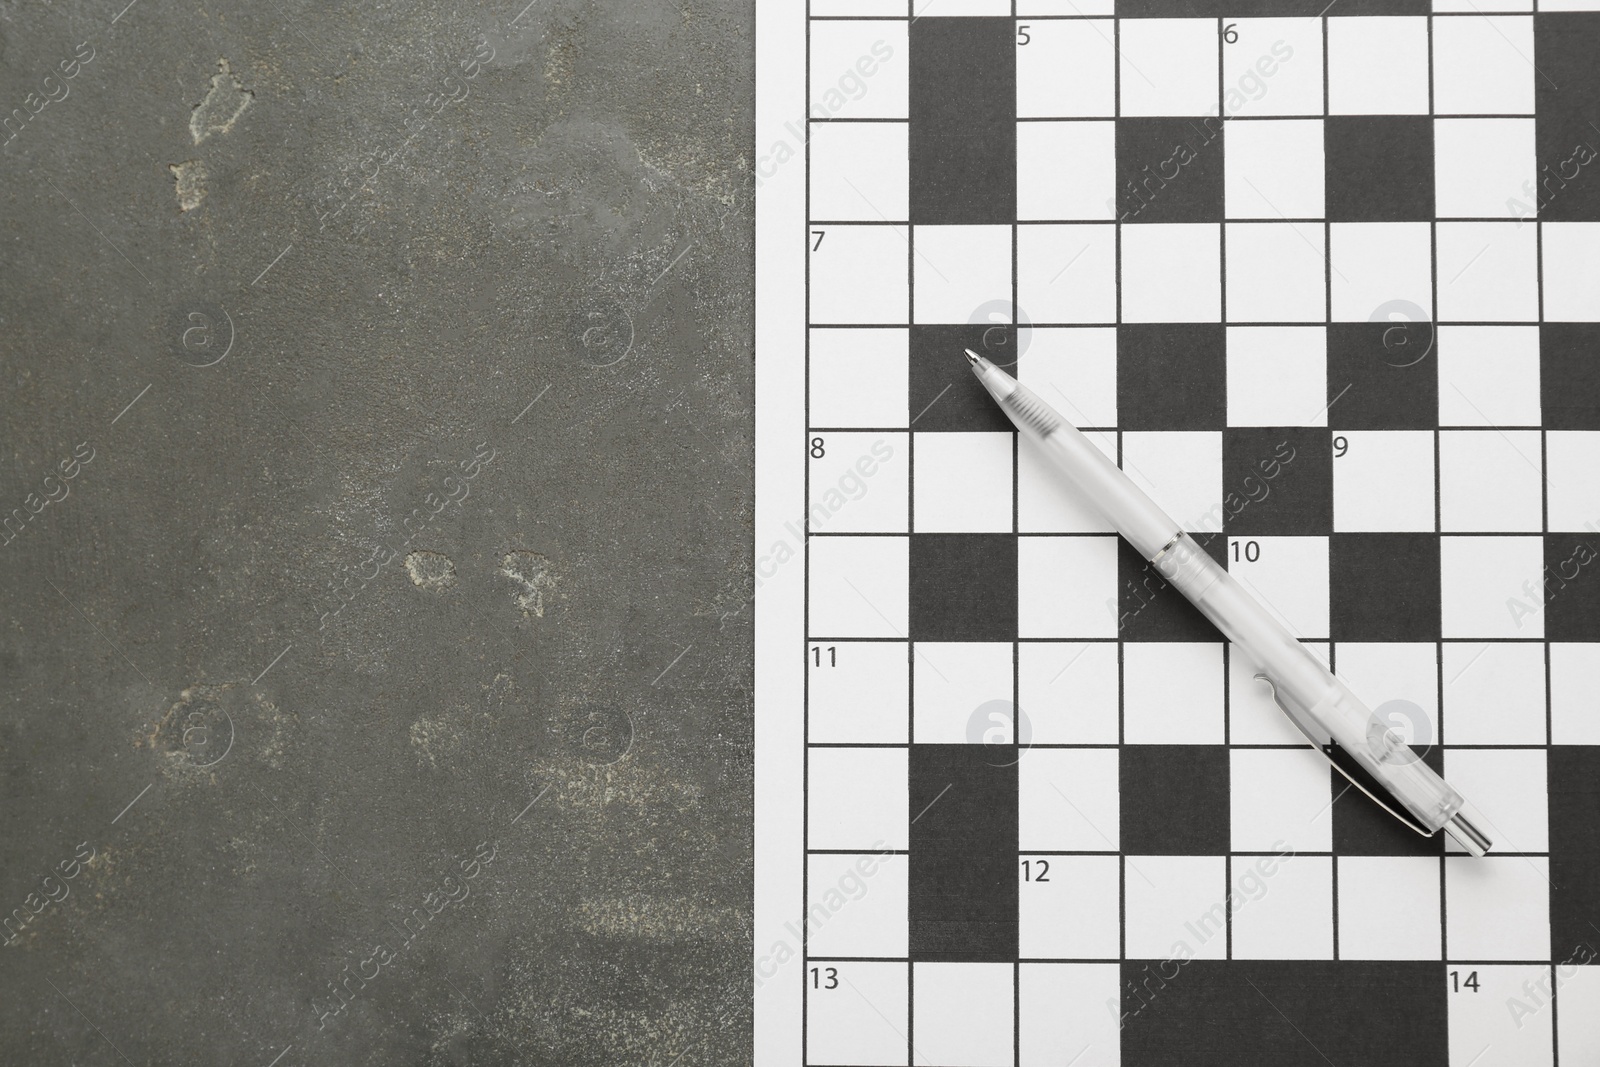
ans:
x=1321 y=706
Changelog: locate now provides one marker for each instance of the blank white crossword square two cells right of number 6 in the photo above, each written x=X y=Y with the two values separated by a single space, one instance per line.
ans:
x=1484 y=65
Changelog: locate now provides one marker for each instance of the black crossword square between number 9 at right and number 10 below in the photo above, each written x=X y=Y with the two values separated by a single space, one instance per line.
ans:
x=1278 y=481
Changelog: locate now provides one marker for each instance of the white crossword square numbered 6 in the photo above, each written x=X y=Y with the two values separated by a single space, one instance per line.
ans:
x=1274 y=68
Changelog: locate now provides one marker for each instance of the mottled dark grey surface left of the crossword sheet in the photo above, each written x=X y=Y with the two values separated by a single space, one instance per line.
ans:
x=409 y=602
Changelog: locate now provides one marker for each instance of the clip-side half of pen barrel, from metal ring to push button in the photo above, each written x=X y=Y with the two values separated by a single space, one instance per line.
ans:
x=1318 y=703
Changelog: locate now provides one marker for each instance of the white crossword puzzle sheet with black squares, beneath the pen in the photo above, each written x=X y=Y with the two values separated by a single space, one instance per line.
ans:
x=1324 y=279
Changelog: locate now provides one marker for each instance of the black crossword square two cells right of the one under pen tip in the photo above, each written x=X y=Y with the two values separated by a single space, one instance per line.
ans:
x=1172 y=377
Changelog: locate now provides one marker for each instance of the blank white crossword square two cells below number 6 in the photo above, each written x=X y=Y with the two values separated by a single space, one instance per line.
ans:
x=1278 y=273
